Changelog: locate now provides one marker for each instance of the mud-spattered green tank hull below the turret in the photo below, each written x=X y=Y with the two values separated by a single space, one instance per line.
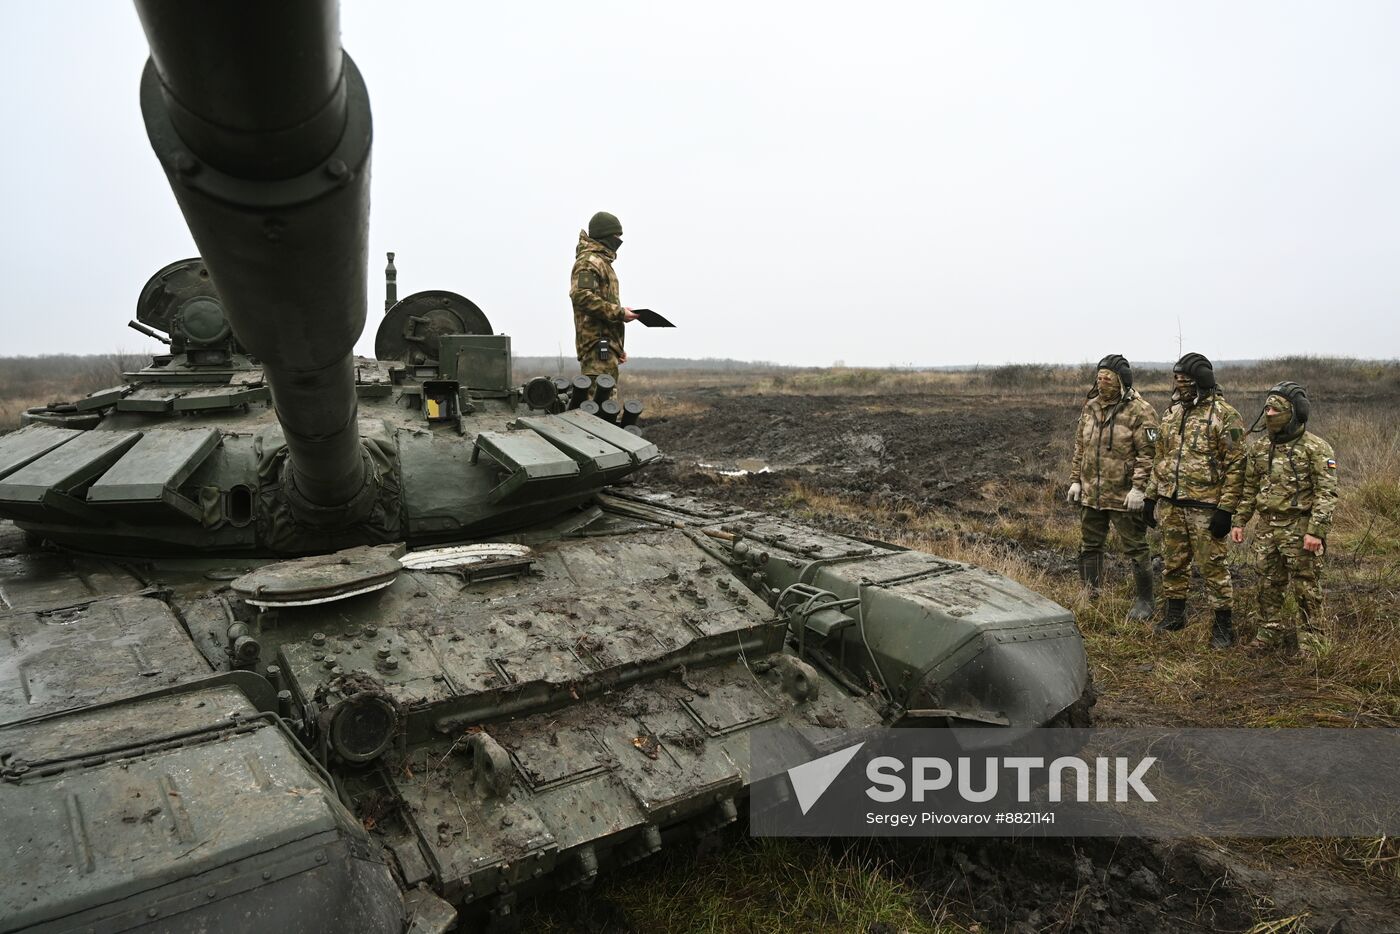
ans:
x=548 y=723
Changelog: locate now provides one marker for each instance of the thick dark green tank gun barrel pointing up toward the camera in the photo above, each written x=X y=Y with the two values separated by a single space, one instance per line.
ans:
x=262 y=125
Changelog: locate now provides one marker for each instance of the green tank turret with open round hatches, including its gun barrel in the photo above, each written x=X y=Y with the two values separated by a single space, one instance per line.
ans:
x=260 y=431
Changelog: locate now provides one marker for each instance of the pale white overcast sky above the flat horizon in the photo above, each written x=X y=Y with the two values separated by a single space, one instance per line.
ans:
x=801 y=183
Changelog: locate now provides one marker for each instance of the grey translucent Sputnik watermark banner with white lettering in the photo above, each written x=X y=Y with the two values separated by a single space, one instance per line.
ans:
x=1150 y=782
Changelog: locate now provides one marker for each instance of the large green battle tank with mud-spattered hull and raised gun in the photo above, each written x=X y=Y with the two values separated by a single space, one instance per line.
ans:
x=300 y=641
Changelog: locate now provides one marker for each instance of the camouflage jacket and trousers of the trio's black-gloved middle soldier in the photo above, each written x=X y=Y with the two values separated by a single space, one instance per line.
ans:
x=1199 y=468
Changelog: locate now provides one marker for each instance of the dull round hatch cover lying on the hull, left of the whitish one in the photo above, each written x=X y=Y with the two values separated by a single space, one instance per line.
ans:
x=321 y=579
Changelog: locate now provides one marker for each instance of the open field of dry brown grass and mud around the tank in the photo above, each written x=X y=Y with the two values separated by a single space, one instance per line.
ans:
x=972 y=466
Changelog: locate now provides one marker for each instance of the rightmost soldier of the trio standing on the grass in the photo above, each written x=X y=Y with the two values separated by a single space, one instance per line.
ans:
x=1291 y=487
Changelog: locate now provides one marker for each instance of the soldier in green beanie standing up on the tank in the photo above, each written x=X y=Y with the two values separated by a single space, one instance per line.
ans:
x=593 y=288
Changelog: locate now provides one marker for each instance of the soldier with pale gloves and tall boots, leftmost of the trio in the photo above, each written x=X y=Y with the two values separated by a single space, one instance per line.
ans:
x=1109 y=474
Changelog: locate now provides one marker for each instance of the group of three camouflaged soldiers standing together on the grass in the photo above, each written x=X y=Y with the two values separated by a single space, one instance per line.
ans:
x=1200 y=480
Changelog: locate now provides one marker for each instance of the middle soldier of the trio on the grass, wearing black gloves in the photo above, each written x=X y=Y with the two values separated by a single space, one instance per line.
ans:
x=1198 y=475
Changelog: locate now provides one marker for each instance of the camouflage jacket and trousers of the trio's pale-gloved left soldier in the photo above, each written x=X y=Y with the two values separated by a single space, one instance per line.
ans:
x=1114 y=454
